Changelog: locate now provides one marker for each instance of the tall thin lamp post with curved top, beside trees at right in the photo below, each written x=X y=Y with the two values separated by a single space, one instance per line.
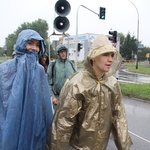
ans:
x=137 y=32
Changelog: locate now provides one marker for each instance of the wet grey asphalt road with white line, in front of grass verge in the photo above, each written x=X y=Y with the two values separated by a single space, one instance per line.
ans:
x=138 y=116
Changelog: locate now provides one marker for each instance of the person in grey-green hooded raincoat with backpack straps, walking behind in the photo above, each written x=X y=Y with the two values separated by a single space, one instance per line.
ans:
x=58 y=72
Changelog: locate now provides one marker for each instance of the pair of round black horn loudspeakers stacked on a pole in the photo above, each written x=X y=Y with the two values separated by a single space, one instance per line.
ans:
x=61 y=22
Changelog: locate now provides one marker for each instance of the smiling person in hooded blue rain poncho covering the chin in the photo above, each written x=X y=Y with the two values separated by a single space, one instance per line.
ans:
x=25 y=107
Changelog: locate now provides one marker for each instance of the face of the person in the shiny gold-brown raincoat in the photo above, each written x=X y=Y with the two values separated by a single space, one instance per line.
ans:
x=103 y=62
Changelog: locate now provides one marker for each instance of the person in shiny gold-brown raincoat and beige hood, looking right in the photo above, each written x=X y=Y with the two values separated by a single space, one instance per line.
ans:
x=91 y=105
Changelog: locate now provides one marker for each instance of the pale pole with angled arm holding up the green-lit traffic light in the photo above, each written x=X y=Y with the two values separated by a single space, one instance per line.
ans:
x=77 y=31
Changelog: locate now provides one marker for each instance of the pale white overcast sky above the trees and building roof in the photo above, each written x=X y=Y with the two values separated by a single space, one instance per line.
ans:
x=121 y=15
